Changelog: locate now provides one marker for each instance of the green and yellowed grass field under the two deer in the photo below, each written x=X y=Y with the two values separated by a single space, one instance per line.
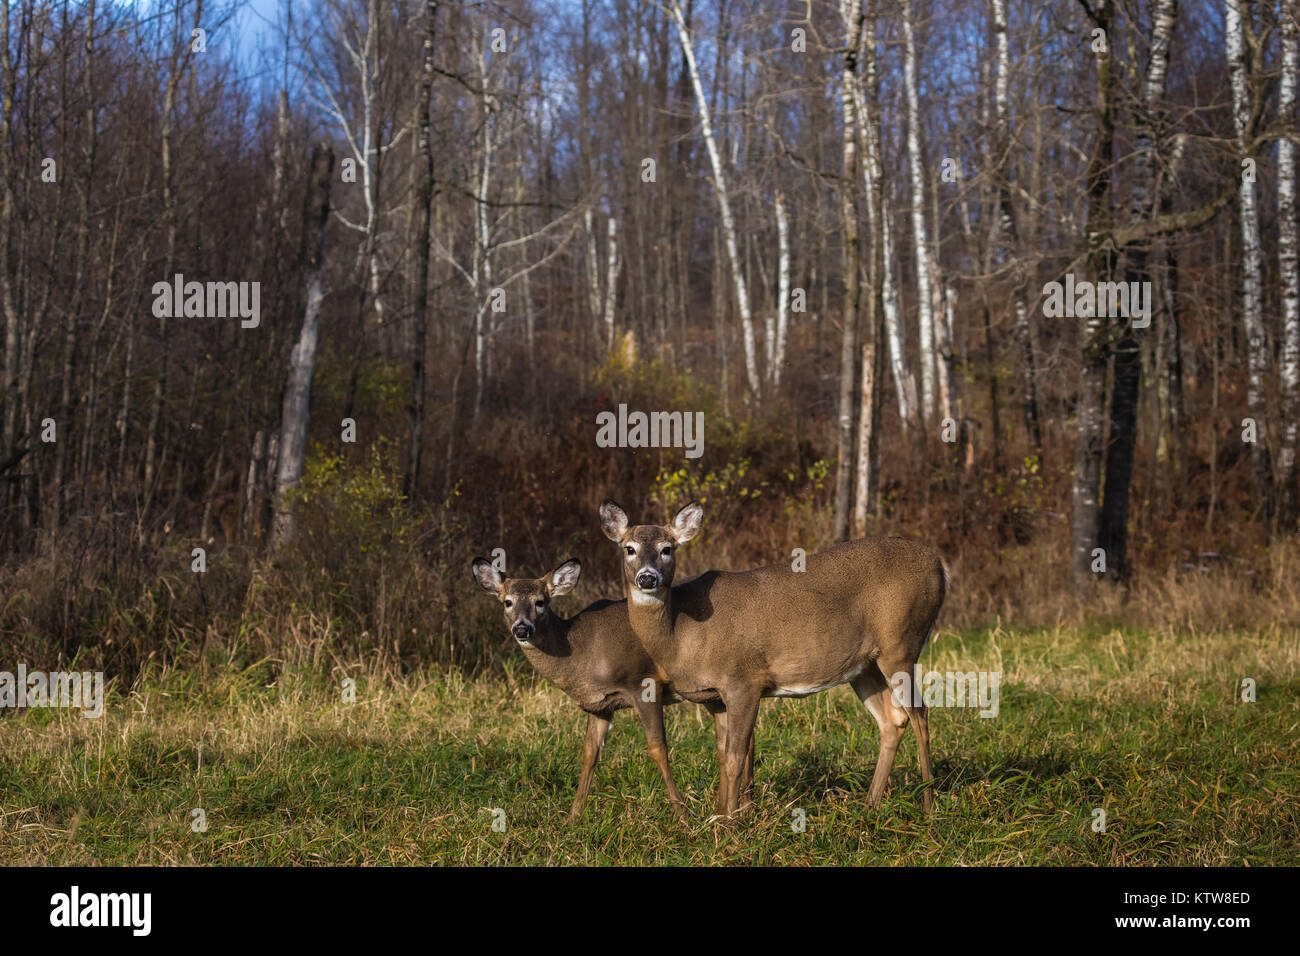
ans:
x=1147 y=726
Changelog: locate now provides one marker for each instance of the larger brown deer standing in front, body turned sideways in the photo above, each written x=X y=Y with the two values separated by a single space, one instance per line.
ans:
x=860 y=613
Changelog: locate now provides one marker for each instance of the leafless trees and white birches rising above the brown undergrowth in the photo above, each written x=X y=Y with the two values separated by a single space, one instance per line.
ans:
x=974 y=236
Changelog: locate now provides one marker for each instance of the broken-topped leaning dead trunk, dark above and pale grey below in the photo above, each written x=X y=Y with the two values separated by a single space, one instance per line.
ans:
x=302 y=362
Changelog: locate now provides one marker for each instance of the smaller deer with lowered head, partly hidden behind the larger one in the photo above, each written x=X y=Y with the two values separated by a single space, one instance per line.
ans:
x=593 y=657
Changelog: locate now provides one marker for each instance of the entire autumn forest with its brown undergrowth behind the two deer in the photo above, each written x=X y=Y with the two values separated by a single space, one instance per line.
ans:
x=306 y=305
